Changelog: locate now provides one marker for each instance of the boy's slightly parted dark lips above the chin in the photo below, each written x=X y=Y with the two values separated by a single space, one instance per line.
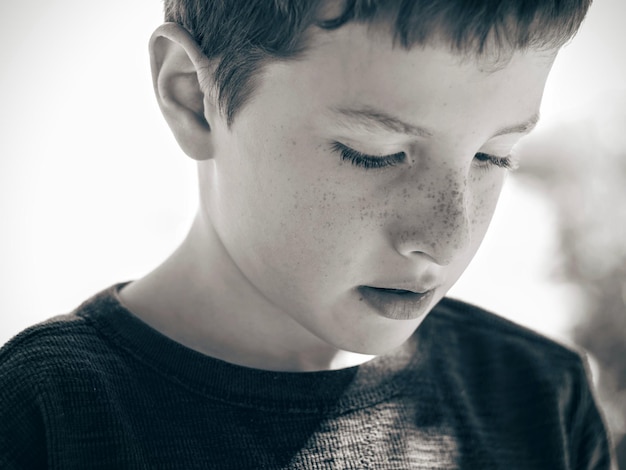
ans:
x=397 y=305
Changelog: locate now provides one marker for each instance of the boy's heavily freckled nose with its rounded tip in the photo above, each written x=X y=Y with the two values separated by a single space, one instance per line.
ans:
x=433 y=217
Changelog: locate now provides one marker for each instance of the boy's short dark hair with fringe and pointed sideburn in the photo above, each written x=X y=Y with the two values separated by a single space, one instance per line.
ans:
x=245 y=34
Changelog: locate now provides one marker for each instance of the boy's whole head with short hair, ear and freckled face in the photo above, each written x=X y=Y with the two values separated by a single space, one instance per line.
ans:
x=351 y=153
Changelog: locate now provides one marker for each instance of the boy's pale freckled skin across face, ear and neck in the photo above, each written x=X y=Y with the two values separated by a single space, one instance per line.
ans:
x=286 y=230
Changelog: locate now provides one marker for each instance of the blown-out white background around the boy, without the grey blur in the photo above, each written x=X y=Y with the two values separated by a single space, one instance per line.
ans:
x=94 y=190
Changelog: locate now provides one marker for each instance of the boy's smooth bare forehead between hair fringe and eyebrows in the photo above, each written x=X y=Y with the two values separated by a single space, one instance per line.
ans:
x=359 y=67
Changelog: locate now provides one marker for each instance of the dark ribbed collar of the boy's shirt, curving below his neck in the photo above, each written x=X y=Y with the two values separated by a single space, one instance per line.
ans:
x=304 y=392
